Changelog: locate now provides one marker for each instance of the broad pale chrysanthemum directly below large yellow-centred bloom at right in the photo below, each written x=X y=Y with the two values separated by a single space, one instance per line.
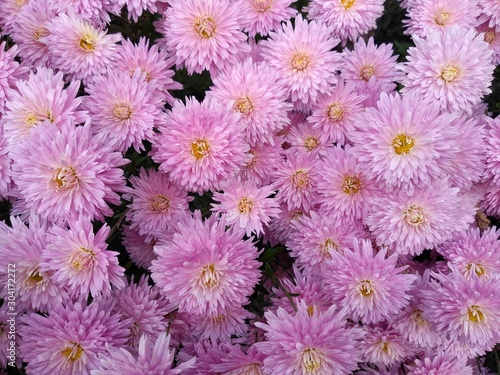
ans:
x=422 y=220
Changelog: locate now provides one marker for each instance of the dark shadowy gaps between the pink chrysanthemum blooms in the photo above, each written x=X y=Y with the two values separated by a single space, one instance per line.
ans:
x=389 y=30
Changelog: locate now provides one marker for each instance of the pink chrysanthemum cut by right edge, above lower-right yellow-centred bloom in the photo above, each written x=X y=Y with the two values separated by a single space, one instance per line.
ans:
x=473 y=252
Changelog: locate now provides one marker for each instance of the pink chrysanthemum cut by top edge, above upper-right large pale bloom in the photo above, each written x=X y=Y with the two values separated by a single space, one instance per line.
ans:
x=440 y=15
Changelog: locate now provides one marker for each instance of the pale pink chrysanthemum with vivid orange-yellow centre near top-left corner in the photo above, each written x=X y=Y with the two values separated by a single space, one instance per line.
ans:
x=78 y=49
